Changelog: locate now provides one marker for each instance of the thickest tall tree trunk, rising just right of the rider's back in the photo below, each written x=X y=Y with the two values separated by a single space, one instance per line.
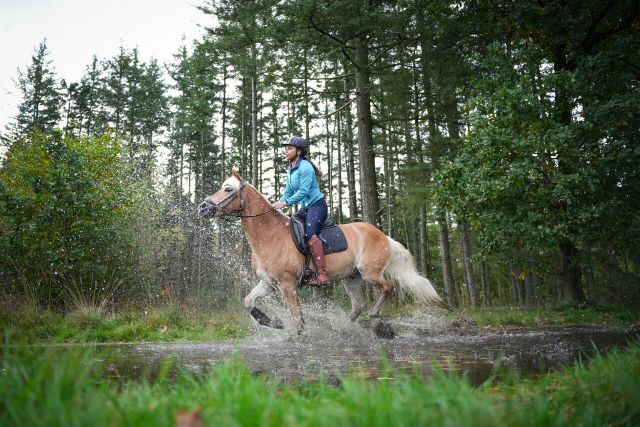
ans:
x=368 y=185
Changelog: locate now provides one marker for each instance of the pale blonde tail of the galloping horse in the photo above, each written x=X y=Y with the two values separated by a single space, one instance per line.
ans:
x=402 y=271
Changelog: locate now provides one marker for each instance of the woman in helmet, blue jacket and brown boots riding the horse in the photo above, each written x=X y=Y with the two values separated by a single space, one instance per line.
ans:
x=302 y=187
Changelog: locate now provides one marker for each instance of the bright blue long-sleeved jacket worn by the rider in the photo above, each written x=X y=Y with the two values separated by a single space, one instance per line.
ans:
x=302 y=185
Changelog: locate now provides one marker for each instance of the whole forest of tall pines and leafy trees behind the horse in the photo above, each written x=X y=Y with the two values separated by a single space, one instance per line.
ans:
x=498 y=141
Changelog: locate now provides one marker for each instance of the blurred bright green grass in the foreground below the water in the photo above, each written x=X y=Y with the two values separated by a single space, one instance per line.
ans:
x=38 y=389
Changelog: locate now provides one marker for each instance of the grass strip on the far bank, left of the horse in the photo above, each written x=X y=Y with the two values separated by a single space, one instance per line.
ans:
x=27 y=326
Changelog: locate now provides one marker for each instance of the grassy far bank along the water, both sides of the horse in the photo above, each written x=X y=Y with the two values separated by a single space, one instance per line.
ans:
x=28 y=325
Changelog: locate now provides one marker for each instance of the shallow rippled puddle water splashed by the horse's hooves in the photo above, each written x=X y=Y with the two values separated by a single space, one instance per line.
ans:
x=328 y=350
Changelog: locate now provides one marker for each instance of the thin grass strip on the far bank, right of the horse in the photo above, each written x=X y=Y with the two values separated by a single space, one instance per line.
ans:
x=552 y=316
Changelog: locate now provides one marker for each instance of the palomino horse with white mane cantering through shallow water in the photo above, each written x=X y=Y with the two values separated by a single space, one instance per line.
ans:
x=371 y=256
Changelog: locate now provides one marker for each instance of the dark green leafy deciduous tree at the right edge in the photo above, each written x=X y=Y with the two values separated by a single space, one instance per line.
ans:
x=549 y=157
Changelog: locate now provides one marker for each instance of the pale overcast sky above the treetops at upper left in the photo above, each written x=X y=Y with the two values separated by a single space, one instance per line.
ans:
x=77 y=29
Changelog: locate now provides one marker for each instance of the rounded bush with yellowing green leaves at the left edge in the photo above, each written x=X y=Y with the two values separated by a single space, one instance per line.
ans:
x=65 y=207
